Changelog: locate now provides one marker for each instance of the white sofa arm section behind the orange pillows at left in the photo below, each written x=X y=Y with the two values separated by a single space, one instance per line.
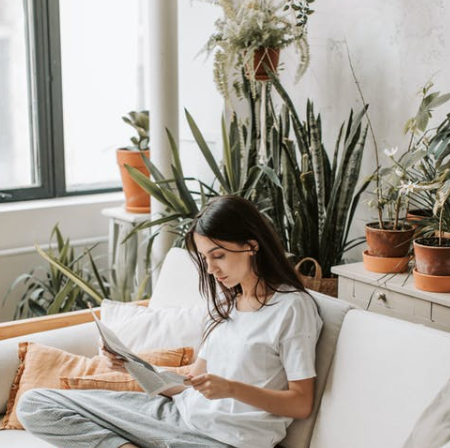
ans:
x=79 y=339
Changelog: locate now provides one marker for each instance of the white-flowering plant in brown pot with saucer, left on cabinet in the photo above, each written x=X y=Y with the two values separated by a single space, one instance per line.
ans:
x=398 y=187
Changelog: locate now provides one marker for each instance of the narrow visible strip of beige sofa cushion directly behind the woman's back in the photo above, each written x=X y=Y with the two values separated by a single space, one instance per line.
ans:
x=333 y=313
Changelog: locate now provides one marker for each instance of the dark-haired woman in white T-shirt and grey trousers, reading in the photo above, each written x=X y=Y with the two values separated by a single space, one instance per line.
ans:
x=255 y=370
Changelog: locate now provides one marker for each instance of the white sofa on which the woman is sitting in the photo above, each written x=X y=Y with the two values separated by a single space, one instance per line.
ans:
x=376 y=374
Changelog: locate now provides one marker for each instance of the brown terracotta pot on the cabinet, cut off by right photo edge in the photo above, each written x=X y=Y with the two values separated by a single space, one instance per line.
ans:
x=432 y=259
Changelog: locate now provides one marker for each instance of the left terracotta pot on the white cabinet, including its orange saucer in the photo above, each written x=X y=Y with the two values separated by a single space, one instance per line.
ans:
x=388 y=249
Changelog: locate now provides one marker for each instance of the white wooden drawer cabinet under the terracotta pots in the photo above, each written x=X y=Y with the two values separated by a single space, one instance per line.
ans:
x=393 y=295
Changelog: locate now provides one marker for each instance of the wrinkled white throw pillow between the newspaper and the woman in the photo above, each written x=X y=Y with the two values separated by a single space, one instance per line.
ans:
x=141 y=328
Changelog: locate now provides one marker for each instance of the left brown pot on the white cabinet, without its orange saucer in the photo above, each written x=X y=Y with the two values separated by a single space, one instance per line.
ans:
x=388 y=243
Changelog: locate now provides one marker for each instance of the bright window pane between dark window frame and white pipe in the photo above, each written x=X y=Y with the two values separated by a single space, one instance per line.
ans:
x=103 y=54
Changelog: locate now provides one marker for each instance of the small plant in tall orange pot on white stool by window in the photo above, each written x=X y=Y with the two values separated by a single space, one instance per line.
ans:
x=137 y=200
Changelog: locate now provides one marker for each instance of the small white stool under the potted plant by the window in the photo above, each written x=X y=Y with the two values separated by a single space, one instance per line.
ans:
x=121 y=223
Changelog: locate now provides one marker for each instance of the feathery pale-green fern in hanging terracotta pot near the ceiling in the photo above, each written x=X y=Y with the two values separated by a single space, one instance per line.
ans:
x=251 y=35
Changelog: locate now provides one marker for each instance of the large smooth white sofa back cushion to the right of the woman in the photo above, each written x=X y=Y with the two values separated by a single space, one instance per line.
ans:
x=385 y=372
